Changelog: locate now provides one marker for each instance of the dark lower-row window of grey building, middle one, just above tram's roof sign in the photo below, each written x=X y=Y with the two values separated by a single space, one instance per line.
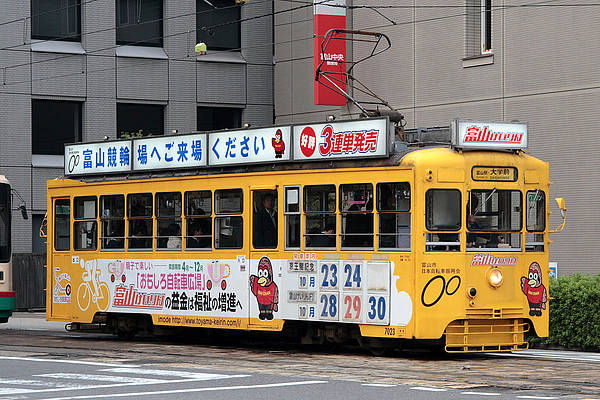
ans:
x=147 y=119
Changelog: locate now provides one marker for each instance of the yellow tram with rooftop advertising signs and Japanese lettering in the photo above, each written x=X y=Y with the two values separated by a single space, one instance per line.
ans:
x=350 y=230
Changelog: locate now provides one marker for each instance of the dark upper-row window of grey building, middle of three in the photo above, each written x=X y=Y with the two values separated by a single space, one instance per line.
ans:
x=140 y=22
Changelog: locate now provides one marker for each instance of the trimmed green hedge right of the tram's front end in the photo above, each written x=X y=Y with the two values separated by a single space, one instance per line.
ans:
x=574 y=313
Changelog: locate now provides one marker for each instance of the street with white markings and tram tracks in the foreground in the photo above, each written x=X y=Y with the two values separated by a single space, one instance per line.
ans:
x=59 y=365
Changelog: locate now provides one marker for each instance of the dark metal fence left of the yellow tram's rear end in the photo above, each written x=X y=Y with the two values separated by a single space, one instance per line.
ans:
x=29 y=281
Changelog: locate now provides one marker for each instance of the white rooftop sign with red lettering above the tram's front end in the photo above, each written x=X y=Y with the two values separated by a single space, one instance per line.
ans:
x=489 y=135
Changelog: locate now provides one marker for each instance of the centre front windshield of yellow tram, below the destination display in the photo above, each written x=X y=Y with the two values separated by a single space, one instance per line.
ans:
x=494 y=219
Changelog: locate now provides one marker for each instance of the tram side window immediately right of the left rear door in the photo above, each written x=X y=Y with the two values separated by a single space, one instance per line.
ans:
x=85 y=227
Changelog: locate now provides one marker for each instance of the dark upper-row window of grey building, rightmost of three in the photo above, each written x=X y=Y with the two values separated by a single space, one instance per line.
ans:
x=218 y=26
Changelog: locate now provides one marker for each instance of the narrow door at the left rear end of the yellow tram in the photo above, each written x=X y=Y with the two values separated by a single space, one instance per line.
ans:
x=61 y=281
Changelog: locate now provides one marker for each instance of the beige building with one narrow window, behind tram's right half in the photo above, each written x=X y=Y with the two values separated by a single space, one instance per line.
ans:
x=498 y=60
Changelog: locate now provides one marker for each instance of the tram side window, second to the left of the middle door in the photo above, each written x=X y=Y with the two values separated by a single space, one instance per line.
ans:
x=198 y=222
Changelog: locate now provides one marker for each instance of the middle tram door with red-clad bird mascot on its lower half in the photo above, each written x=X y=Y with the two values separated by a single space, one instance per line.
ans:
x=265 y=267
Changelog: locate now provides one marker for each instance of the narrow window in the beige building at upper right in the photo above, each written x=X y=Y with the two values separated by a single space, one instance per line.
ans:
x=478 y=30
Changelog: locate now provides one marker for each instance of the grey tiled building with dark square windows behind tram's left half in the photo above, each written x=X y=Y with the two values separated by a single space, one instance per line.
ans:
x=84 y=70
